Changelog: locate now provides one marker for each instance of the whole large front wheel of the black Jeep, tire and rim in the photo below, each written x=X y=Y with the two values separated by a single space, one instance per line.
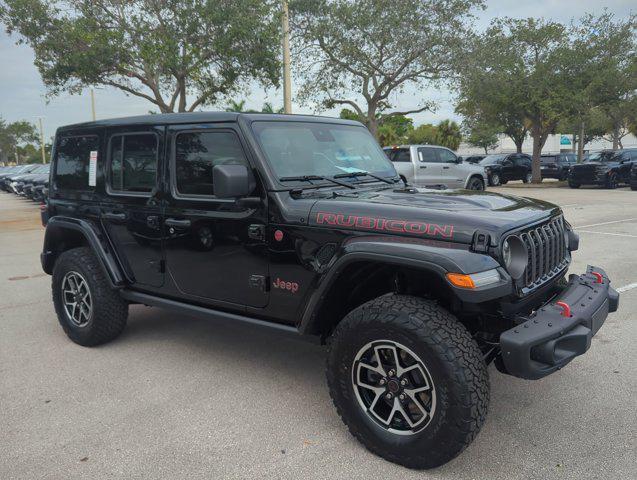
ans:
x=399 y=345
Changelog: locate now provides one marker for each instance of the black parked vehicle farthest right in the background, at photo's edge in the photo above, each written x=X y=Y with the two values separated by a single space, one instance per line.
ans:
x=607 y=168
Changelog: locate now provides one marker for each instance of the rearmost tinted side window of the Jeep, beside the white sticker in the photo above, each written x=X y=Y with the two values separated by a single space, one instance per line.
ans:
x=72 y=158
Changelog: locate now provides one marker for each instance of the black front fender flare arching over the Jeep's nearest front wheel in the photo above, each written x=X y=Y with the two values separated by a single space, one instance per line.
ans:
x=433 y=256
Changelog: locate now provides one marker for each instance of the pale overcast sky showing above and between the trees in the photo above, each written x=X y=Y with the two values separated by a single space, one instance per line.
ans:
x=22 y=93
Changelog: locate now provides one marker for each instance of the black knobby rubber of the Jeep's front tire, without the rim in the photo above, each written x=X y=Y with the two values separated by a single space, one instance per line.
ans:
x=453 y=359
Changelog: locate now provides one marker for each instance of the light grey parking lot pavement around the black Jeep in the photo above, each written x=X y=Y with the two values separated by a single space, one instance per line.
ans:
x=179 y=397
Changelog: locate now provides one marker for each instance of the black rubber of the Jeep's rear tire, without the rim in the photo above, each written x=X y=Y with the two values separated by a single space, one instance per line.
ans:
x=109 y=310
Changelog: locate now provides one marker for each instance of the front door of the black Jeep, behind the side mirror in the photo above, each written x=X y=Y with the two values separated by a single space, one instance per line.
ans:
x=215 y=248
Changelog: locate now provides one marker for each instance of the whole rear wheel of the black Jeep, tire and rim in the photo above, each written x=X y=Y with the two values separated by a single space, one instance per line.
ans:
x=88 y=309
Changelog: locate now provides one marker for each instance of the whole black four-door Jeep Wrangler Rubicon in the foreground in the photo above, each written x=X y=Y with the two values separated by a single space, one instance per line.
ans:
x=302 y=224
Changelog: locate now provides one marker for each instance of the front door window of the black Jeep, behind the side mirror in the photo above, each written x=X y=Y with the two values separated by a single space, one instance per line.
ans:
x=196 y=153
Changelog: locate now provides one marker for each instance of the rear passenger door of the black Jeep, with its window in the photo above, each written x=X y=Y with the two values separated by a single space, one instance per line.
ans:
x=131 y=210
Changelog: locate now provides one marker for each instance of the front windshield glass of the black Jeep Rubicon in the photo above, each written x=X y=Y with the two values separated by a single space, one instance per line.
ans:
x=296 y=149
